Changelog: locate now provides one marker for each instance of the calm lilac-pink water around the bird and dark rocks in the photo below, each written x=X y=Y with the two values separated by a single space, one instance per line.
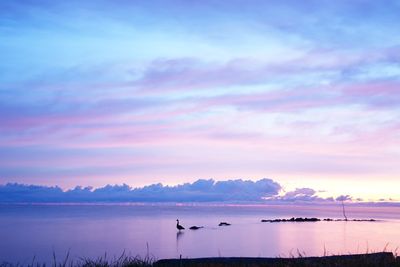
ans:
x=92 y=230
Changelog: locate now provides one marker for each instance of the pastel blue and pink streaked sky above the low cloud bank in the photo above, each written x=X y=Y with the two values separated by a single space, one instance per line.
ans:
x=306 y=93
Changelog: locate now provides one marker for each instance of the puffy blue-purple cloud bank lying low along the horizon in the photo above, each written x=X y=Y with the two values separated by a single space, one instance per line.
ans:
x=202 y=190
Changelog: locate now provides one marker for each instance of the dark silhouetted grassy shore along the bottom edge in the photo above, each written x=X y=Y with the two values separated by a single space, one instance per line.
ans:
x=382 y=259
